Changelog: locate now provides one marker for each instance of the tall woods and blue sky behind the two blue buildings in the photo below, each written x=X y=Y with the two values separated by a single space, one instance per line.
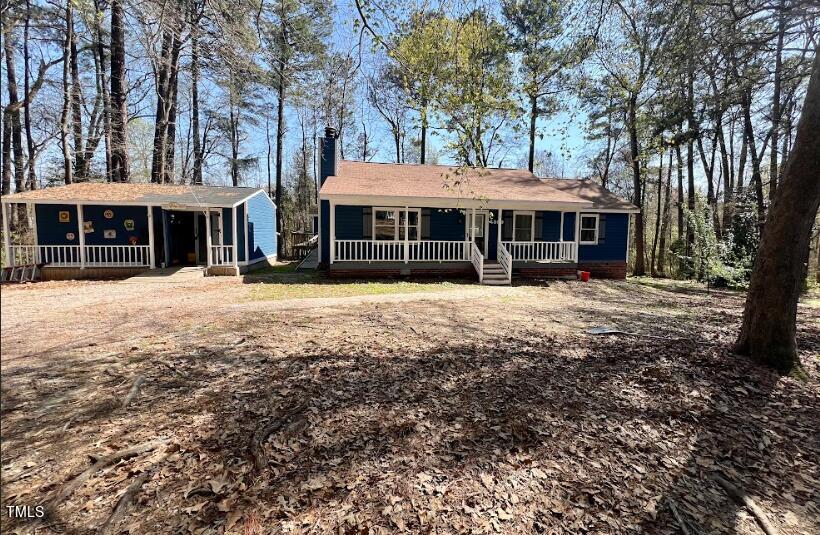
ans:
x=686 y=107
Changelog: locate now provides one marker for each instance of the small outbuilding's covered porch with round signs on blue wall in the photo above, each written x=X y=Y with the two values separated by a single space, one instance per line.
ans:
x=155 y=237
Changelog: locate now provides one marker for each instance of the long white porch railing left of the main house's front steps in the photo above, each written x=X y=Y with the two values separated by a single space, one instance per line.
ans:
x=394 y=251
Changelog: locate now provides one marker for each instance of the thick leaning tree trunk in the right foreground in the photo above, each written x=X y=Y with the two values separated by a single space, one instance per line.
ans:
x=768 y=331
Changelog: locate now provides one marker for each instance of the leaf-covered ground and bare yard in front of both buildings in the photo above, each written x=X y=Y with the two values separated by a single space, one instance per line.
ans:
x=464 y=410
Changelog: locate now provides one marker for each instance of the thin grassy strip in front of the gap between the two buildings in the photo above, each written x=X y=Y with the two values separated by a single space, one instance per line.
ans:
x=321 y=287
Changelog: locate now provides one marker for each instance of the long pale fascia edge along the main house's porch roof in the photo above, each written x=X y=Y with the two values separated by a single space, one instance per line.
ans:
x=439 y=202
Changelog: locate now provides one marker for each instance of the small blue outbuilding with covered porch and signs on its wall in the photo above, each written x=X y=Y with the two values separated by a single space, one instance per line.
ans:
x=88 y=230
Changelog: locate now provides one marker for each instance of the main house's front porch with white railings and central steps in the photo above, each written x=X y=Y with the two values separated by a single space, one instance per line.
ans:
x=489 y=243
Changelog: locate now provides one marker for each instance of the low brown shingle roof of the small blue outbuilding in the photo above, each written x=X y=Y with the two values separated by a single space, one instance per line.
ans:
x=137 y=194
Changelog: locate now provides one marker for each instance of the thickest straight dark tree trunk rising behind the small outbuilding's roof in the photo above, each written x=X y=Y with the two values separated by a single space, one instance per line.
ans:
x=119 y=92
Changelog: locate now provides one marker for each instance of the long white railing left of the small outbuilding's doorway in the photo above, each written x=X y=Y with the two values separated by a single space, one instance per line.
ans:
x=69 y=255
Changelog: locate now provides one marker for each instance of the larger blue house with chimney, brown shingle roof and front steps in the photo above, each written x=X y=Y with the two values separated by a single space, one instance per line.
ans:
x=494 y=224
